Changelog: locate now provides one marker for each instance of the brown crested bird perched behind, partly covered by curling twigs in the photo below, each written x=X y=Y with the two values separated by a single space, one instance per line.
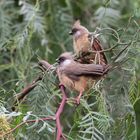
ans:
x=84 y=42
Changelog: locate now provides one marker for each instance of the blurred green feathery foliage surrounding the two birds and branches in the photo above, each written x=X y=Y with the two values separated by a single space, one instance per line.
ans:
x=31 y=30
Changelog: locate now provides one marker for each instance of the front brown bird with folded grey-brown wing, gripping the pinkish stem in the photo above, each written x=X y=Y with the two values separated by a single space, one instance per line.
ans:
x=77 y=77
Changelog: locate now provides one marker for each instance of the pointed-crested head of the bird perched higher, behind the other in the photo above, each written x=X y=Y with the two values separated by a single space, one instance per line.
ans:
x=78 y=30
